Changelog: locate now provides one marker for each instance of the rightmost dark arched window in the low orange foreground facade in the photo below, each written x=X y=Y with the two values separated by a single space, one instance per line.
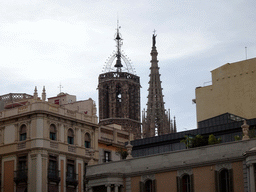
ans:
x=224 y=180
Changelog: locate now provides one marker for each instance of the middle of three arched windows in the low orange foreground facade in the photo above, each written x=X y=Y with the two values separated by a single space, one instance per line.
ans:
x=185 y=183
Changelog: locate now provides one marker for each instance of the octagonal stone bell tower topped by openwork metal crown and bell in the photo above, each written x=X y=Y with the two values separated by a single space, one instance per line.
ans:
x=119 y=92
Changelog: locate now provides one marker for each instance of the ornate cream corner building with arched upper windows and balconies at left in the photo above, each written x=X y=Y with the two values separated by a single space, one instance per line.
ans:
x=45 y=146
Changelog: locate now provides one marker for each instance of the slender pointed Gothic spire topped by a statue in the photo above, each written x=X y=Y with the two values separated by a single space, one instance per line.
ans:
x=156 y=121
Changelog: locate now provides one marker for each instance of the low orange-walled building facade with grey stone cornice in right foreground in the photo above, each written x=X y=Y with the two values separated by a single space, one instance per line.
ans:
x=222 y=167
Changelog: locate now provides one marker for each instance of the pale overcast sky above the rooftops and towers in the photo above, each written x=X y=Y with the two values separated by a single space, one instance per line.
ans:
x=45 y=42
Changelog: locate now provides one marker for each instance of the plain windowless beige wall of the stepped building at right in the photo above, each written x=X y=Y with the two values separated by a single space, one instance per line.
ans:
x=233 y=90
